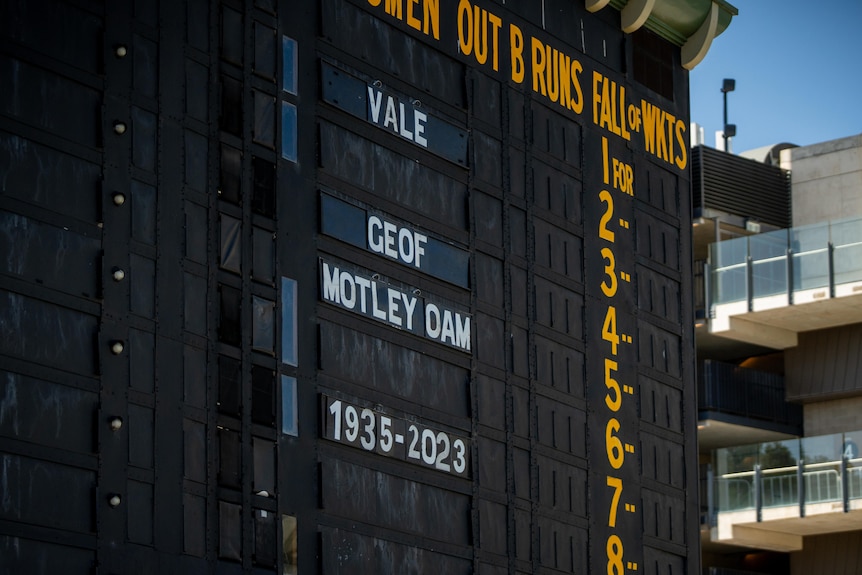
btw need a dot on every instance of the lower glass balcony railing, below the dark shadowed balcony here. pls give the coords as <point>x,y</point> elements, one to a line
<point>798,472</point>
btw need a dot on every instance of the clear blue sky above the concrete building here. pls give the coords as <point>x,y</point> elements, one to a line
<point>798,71</point>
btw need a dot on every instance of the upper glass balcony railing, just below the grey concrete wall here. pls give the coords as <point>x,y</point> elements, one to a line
<point>787,266</point>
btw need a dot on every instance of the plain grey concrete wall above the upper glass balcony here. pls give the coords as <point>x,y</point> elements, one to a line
<point>826,180</point>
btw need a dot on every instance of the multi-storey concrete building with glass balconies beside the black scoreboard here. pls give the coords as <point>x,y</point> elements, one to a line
<point>779,347</point>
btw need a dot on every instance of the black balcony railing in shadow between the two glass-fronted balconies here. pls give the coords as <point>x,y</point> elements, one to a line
<point>747,393</point>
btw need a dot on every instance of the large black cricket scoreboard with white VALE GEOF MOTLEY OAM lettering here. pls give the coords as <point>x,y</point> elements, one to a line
<point>343,286</point>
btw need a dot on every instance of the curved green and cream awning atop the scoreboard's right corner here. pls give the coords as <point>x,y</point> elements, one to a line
<point>691,24</point>
